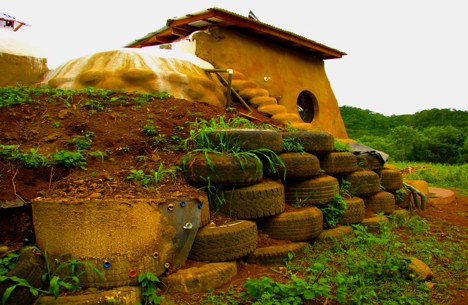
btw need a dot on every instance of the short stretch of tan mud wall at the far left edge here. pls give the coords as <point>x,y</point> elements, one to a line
<point>24,70</point>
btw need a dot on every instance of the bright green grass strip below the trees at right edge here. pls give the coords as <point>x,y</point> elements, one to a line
<point>438,175</point>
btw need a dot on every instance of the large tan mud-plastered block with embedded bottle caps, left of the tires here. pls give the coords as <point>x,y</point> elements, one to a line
<point>136,235</point>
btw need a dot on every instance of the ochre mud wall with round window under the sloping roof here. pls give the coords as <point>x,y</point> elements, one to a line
<point>283,72</point>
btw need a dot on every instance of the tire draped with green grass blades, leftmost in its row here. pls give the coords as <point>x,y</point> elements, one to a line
<point>226,169</point>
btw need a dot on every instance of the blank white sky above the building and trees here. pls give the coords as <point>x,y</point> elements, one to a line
<point>403,56</point>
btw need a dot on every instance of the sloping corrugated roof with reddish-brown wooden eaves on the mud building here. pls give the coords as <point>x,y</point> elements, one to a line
<point>181,27</point>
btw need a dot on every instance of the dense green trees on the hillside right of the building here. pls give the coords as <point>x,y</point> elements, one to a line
<point>435,135</point>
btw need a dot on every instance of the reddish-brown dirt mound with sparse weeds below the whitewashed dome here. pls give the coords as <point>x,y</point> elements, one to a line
<point>124,135</point>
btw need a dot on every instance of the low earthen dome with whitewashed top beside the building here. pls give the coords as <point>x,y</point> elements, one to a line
<point>130,70</point>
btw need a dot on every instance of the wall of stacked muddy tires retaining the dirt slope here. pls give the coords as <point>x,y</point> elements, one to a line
<point>283,200</point>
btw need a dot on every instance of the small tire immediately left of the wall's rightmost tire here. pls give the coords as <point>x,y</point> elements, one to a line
<point>363,183</point>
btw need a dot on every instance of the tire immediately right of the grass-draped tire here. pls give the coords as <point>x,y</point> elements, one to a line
<point>297,166</point>
